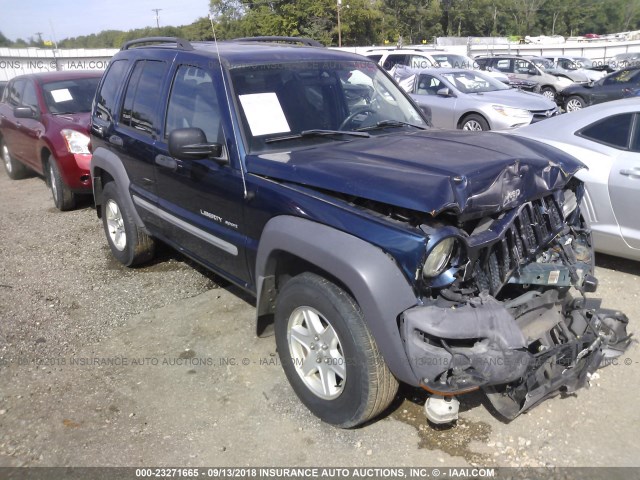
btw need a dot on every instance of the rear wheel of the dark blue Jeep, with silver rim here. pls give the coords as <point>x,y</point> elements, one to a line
<point>128,243</point>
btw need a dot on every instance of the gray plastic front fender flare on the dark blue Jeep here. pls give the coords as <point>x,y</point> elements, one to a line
<point>377,284</point>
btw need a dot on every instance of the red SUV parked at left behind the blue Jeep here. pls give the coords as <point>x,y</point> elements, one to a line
<point>44,124</point>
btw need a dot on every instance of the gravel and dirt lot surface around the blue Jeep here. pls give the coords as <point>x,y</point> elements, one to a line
<point>159,365</point>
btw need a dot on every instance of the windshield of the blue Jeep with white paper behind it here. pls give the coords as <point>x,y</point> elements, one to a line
<point>288,105</point>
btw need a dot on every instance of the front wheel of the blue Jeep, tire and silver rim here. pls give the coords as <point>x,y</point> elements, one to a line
<point>328,354</point>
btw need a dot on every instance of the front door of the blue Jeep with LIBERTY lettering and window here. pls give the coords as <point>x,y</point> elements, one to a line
<point>200,201</point>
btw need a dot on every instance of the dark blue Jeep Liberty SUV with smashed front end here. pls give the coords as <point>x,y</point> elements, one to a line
<point>379,250</point>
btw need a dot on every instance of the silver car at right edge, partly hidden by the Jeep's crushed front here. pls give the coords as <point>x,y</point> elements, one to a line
<point>605,138</point>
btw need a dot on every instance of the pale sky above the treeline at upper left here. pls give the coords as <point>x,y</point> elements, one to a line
<point>71,18</point>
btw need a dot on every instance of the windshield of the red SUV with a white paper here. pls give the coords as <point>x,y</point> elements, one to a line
<point>70,96</point>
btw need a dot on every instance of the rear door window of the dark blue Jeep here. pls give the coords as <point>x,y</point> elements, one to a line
<point>141,98</point>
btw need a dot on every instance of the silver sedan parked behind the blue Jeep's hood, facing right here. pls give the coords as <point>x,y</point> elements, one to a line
<point>471,100</point>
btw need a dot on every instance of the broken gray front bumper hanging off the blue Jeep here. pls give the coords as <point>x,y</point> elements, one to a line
<point>519,352</point>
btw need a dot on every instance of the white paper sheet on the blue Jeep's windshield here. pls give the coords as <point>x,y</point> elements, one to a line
<point>264,113</point>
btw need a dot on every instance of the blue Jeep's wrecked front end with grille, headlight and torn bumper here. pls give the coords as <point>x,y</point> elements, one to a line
<point>505,309</point>
